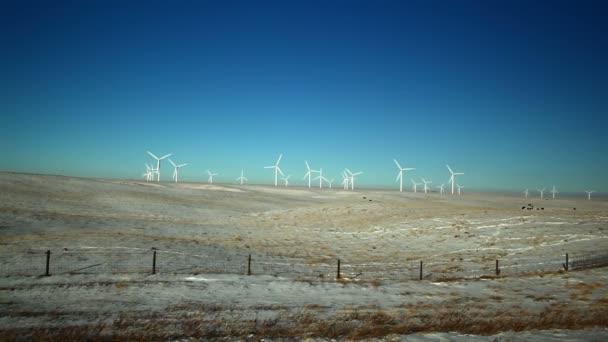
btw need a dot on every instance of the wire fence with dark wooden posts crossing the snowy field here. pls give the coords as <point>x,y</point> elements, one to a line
<point>152,261</point>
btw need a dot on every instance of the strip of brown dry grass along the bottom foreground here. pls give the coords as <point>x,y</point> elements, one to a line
<point>350,324</point>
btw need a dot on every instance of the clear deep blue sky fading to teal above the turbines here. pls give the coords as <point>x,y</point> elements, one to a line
<point>512,93</point>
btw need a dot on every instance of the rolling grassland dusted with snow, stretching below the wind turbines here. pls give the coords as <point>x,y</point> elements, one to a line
<point>102,233</point>
